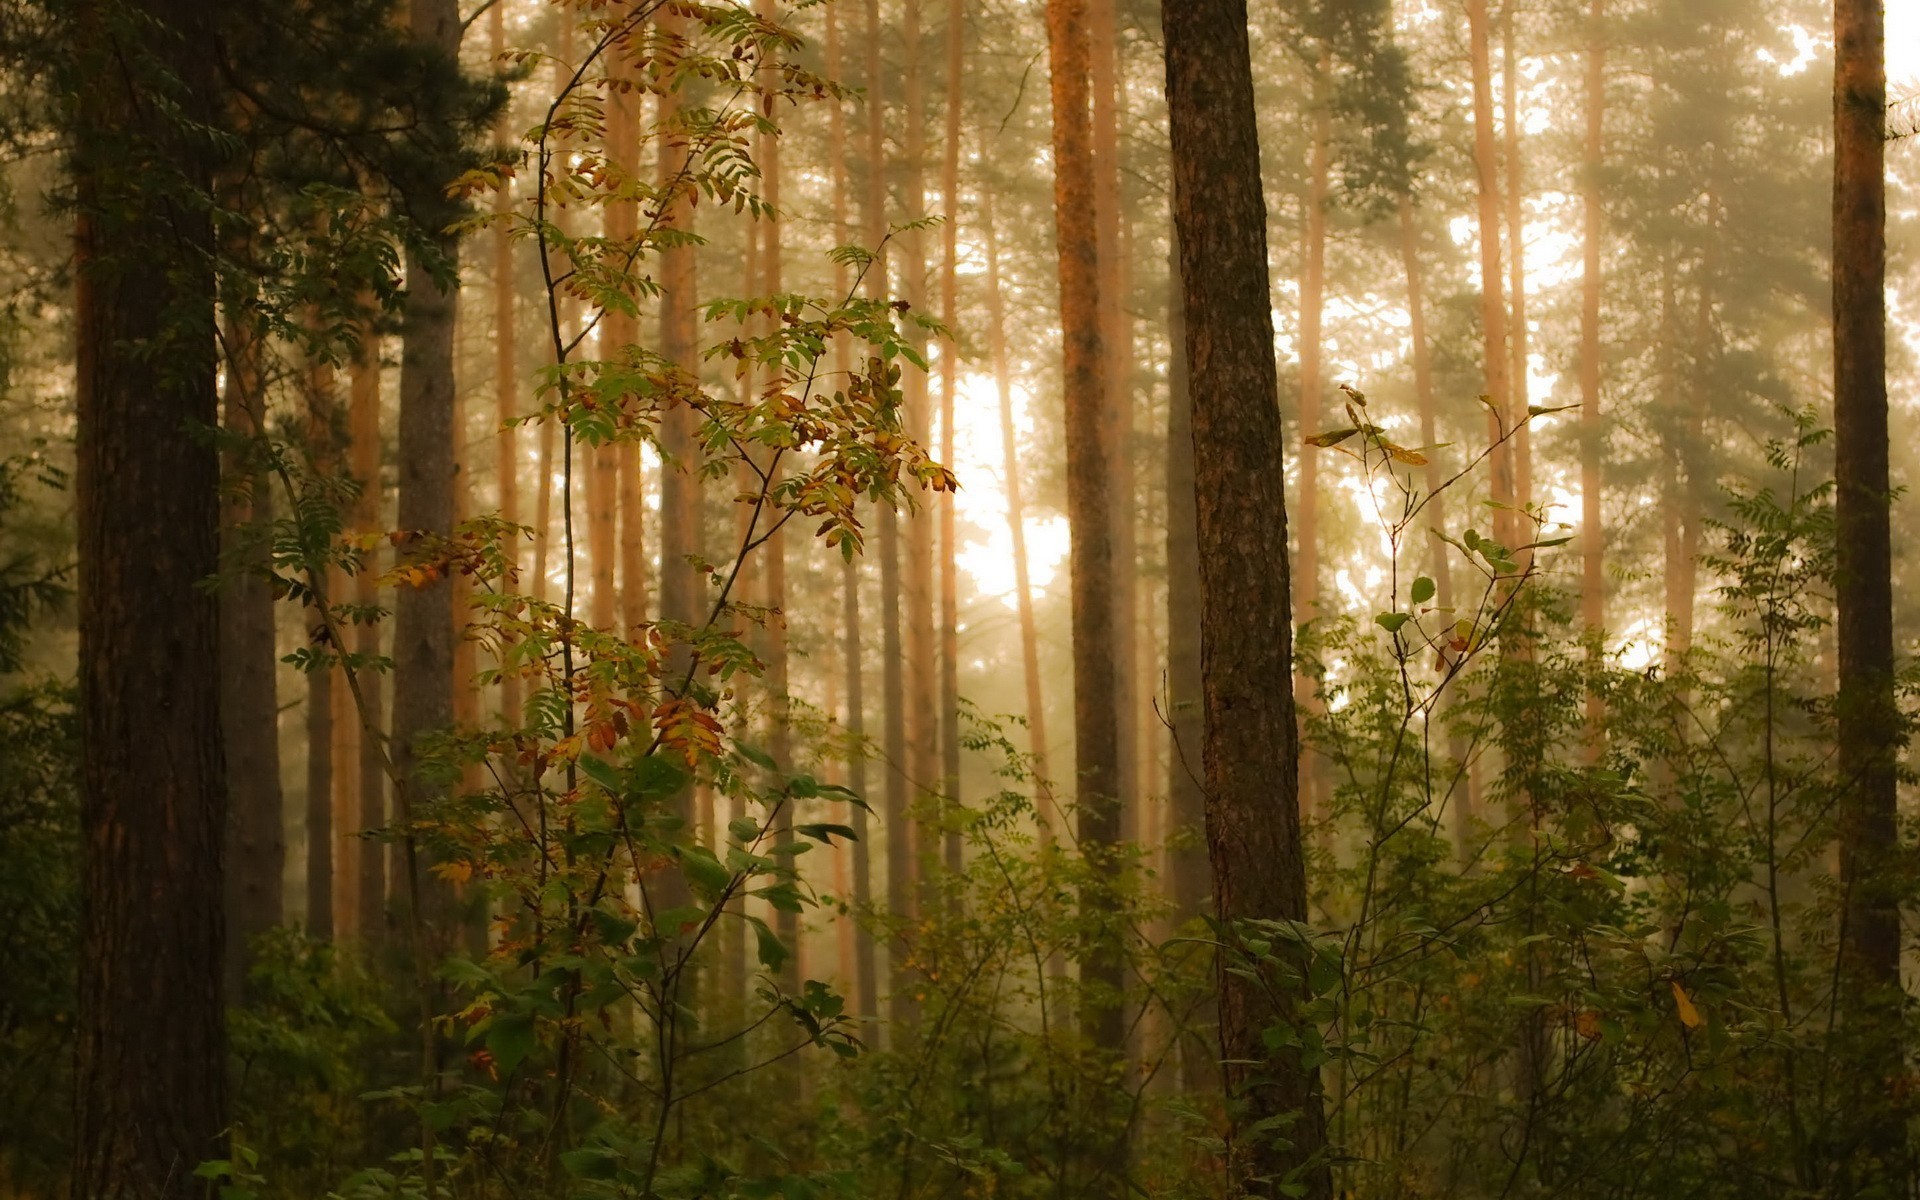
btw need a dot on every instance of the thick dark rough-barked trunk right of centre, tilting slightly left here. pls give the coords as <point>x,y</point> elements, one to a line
<point>1253,752</point>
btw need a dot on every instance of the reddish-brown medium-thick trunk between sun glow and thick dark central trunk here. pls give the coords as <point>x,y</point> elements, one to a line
<point>1090,506</point>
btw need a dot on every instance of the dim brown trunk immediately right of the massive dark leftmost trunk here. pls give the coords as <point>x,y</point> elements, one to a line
<point>251,709</point>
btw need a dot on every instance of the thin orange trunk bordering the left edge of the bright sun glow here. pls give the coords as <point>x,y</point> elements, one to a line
<point>949,402</point>
